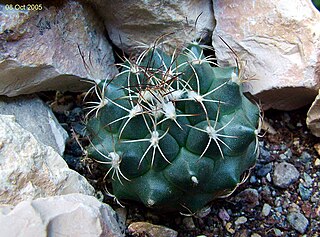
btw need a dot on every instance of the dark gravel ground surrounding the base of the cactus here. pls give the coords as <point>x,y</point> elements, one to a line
<point>280,197</point>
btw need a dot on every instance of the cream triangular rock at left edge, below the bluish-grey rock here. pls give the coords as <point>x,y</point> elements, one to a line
<point>30,170</point>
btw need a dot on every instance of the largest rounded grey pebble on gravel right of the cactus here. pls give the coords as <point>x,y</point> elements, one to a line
<point>285,174</point>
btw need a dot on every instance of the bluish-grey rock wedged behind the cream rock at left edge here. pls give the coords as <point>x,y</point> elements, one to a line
<point>44,126</point>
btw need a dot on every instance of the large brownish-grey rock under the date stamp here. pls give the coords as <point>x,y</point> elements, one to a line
<point>41,50</point>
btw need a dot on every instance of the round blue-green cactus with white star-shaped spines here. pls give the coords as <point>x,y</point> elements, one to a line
<point>173,132</point>
